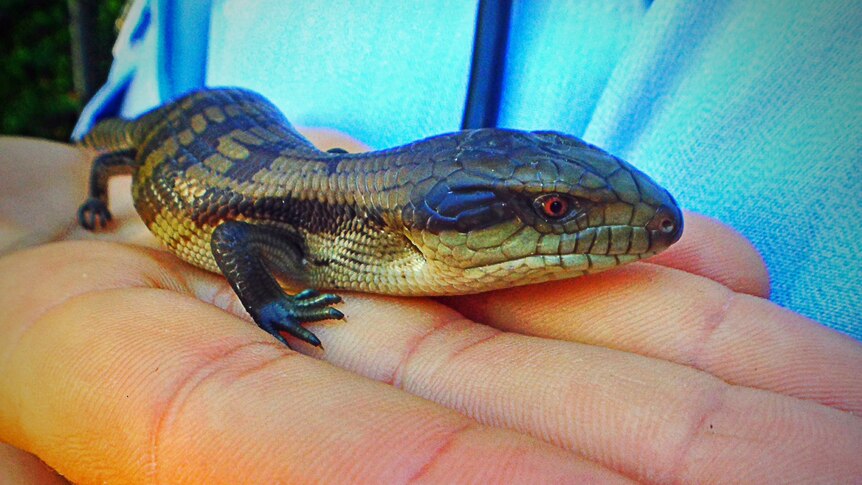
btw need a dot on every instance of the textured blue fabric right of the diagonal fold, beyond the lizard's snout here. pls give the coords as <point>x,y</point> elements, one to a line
<point>751,112</point>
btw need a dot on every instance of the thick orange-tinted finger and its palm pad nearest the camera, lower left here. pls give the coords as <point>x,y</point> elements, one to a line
<point>138,384</point>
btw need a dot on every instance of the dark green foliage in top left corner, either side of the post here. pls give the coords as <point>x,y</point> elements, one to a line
<point>37,96</point>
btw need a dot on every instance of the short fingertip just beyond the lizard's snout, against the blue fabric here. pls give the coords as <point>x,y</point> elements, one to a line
<point>716,251</point>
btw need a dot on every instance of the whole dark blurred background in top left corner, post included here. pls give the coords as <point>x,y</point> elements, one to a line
<point>54,55</point>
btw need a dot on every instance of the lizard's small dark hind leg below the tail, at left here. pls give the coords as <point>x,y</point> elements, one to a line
<point>94,211</point>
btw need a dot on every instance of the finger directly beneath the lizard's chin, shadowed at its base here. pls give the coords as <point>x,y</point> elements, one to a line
<point>676,316</point>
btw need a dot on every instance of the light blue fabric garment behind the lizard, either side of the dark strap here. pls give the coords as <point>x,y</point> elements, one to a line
<point>750,112</point>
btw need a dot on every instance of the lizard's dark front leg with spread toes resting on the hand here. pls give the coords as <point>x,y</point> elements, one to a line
<point>245,254</point>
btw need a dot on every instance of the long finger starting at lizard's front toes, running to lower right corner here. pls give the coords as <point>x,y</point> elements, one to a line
<point>652,420</point>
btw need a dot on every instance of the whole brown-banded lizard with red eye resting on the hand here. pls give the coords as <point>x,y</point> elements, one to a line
<point>222,178</point>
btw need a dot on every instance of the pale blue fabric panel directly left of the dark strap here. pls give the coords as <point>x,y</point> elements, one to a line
<point>385,72</point>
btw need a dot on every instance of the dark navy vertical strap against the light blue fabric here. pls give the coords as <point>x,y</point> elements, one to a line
<point>489,60</point>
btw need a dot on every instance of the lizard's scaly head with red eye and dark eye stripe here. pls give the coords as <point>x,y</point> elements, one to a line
<point>501,208</point>
